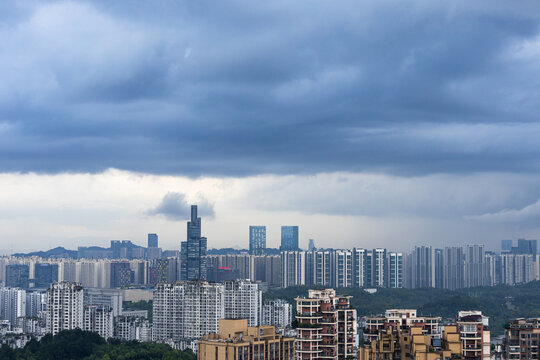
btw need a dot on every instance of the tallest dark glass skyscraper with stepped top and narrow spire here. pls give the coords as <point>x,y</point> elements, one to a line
<point>193,251</point>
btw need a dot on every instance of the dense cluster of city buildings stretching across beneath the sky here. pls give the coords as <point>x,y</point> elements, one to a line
<point>213,304</point>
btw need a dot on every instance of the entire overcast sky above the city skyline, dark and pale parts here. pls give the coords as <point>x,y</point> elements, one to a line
<point>368,124</point>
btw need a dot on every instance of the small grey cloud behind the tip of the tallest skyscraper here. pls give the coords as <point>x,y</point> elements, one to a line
<point>174,207</point>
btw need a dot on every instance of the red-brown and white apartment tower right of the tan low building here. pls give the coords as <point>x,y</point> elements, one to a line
<point>326,326</point>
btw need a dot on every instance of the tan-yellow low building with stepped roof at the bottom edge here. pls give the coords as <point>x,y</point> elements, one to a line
<point>237,341</point>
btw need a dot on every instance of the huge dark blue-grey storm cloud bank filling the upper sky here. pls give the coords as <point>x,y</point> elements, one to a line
<point>240,88</point>
